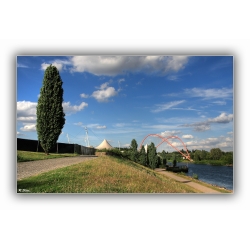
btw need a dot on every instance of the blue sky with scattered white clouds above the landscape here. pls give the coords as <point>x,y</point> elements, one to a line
<point>120,98</point>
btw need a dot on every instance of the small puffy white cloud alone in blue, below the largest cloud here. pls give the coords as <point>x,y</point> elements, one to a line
<point>104,93</point>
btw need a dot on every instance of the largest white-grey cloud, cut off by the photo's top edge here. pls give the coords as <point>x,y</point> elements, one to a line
<point>114,65</point>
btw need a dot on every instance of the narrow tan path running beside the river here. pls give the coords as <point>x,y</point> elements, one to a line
<point>195,185</point>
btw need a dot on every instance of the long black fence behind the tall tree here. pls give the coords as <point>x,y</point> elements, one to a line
<point>34,146</point>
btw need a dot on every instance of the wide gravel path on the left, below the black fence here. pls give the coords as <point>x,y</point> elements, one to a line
<point>27,169</point>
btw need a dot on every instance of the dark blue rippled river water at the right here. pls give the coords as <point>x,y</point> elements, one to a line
<point>217,175</point>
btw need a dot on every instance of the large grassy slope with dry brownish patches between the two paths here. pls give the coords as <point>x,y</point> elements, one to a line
<point>104,174</point>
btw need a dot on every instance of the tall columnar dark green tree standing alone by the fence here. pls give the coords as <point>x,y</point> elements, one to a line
<point>50,115</point>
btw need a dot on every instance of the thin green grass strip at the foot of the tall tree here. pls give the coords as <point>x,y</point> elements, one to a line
<point>34,156</point>
